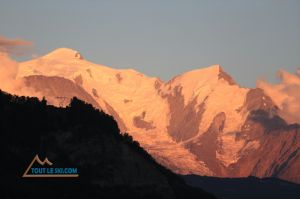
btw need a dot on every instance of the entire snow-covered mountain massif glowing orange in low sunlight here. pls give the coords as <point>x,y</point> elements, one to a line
<point>200,122</point>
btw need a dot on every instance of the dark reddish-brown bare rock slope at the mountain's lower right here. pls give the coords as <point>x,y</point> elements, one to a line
<point>277,154</point>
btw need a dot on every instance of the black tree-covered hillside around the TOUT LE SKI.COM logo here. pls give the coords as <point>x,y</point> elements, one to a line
<point>110,165</point>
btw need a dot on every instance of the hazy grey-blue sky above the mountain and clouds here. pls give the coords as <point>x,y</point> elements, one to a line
<point>250,38</point>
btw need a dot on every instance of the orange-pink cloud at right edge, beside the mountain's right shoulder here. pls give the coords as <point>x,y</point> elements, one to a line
<point>286,94</point>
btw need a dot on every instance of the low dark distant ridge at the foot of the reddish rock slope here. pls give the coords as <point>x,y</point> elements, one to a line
<point>246,188</point>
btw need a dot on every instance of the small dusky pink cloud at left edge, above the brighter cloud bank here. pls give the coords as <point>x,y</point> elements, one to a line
<point>14,46</point>
